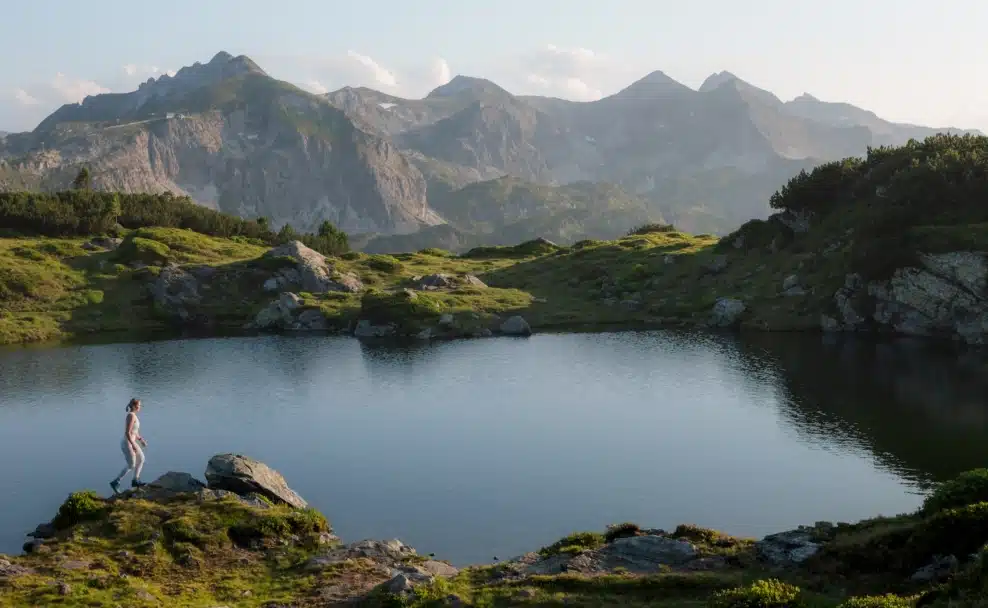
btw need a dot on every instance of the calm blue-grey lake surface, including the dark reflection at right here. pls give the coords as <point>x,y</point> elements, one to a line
<point>473,449</point>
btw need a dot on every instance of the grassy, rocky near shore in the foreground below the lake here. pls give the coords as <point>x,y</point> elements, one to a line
<point>198,548</point>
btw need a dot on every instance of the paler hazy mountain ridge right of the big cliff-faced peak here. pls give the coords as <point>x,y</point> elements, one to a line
<point>708,159</point>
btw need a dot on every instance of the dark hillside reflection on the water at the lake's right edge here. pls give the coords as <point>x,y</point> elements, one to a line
<point>921,410</point>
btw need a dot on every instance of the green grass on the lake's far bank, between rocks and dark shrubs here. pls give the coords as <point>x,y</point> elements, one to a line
<point>656,276</point>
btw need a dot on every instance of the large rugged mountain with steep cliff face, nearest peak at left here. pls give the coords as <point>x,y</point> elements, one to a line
<point>236,140</point>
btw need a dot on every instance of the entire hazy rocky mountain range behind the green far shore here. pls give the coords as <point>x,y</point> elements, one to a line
<point>469,163</point>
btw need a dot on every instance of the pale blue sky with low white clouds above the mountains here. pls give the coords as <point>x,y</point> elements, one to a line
<point>907,60</point>
